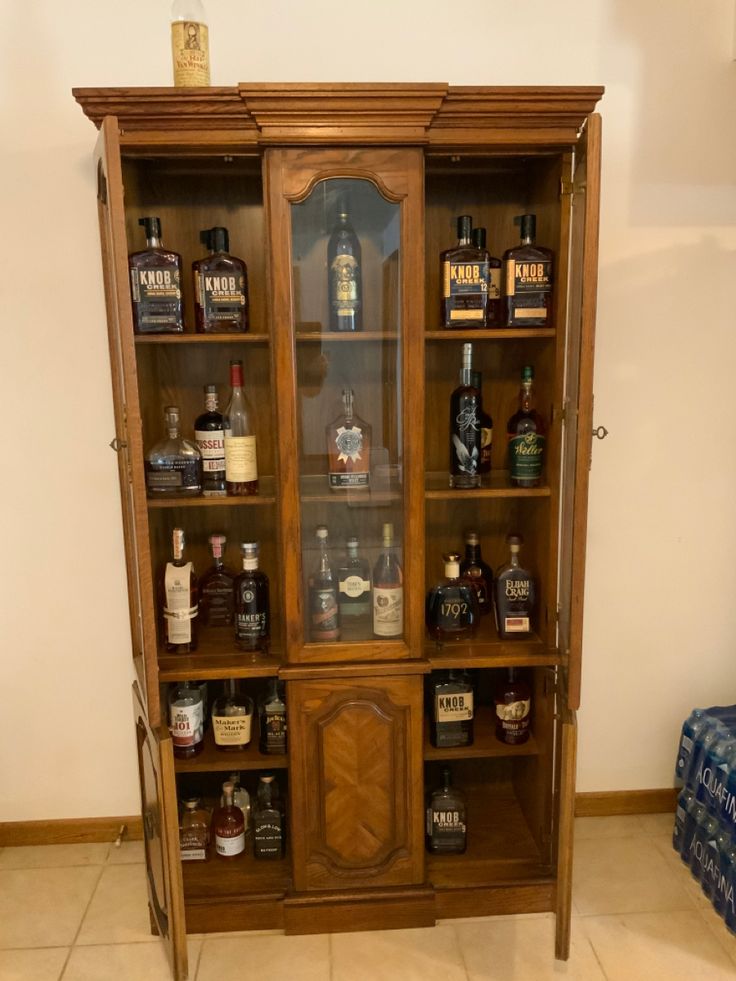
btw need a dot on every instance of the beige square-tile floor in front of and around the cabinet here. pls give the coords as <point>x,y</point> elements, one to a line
<point>78,913</point>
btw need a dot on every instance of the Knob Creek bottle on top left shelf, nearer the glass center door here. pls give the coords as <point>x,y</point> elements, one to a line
<point>220,286</point>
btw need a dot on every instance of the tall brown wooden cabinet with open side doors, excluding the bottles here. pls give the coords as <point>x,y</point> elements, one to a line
<point>275,164</point>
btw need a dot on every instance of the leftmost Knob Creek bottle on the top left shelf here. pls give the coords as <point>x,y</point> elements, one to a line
<point>155,284</point>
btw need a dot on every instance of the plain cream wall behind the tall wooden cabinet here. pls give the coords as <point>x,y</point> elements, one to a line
<point>660,618</point>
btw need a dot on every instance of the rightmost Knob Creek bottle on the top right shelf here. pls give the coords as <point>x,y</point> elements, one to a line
<point>528,279</point>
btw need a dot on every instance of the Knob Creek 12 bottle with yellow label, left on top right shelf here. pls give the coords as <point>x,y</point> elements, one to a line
<point>464,278</point>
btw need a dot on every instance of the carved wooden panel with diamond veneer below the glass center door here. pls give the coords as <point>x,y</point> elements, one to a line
<point>356,805</point>
